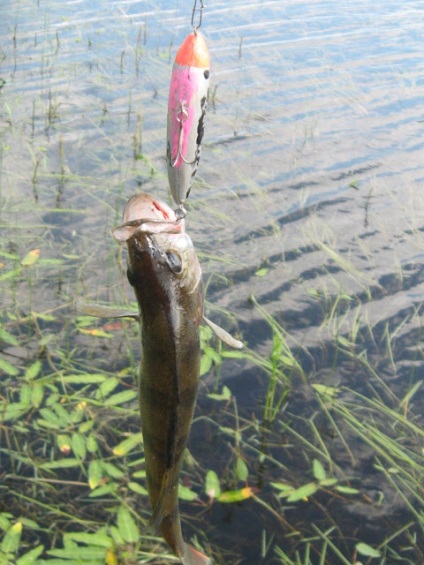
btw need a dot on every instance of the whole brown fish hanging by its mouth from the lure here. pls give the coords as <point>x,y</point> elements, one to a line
<point>165,273</point>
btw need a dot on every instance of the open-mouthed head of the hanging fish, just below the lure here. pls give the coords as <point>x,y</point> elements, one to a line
<point>161,253</point>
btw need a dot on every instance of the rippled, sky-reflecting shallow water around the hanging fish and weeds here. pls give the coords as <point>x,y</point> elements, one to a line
<point>310,176</point>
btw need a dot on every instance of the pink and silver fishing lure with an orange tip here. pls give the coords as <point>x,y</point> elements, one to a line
<point>186,113</point>
